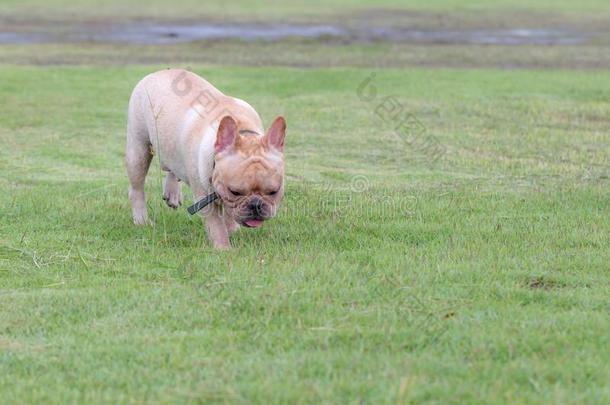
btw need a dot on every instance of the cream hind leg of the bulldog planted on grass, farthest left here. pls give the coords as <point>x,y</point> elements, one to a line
<point>138,156</point>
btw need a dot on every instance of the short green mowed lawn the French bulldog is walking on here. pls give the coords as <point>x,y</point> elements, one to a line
<point>388,276</point>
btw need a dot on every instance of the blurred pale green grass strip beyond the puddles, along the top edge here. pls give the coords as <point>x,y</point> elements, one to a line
<point>275,9</point>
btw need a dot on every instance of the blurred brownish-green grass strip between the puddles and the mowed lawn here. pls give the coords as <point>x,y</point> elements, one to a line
<point>308,54</point>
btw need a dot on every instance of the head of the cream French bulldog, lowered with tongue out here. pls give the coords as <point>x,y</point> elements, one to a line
<point>249,171</point>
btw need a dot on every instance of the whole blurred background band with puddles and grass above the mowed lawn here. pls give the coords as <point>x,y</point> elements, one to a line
<point>387,33</point>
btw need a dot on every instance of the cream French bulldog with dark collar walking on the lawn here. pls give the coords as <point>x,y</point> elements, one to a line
<point>212,142</point>
